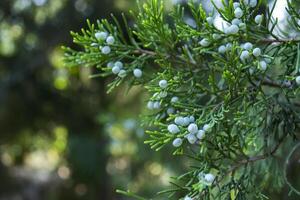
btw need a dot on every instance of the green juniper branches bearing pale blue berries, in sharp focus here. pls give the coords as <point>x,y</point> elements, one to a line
<point>226,97</point>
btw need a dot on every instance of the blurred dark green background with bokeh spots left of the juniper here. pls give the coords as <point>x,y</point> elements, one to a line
<point>62,137</point>
